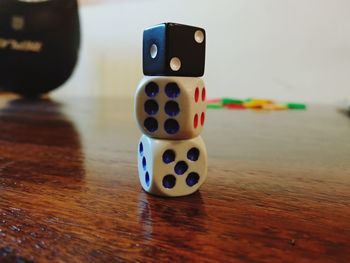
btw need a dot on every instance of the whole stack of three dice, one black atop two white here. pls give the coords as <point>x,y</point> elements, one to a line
<point>170,107</point>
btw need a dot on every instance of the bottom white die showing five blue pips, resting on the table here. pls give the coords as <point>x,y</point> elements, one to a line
<point>172,167</point>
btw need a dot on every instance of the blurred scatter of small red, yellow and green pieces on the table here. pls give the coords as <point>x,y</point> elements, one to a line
<point>252,103</point>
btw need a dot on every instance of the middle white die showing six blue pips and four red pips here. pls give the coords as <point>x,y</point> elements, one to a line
<point>171,107</point>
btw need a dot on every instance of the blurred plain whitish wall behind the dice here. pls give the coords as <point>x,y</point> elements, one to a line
<point>290,50</point>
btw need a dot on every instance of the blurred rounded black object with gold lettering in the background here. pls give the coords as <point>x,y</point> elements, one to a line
<point>39,44</point>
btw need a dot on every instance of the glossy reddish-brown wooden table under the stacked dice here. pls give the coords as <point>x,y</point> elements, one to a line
<point>278,187</point>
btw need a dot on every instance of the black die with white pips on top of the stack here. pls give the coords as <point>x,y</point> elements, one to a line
<point>171,49</point>
